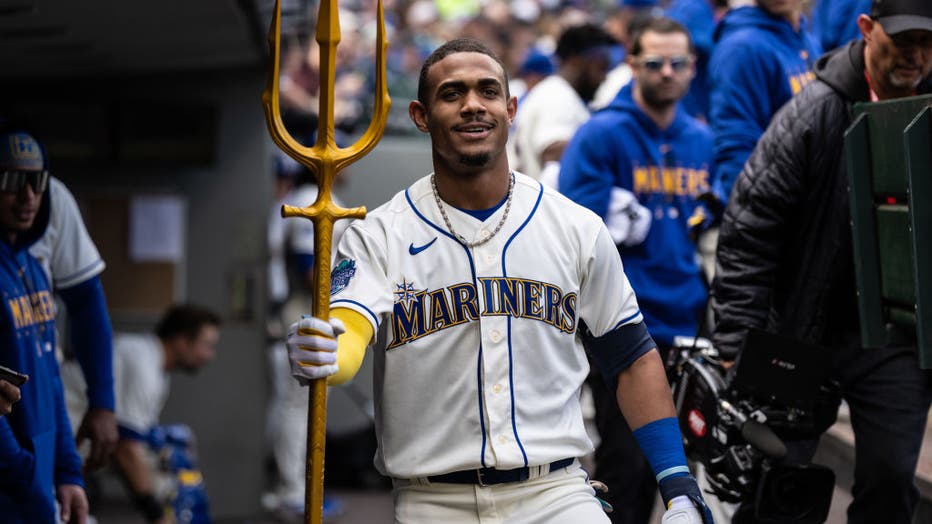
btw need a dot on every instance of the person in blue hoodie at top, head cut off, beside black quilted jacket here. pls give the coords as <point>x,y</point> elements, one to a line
<point>763,55</point>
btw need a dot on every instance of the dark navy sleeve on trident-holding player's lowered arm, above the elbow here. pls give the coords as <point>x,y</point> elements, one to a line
<point>614,351</point>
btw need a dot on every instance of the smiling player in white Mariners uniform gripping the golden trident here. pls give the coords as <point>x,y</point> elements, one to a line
<point>477,286</point>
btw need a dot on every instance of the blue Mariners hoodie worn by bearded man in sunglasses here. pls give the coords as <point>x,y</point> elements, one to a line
<point>667,169</point>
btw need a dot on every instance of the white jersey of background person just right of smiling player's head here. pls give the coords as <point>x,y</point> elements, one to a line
<point>551,112</point>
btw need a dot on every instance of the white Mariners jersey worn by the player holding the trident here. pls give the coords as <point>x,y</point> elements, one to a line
<point>478,363</point>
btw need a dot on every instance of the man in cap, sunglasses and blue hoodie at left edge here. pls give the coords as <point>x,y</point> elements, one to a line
<point>39,464</point>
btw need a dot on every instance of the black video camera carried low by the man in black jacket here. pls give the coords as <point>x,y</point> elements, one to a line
<point>735,423</point>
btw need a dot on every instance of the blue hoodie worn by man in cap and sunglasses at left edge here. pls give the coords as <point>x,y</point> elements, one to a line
<point>37,450</point>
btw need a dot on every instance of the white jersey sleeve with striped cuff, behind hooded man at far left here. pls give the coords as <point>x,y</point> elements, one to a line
<point>65,250</point>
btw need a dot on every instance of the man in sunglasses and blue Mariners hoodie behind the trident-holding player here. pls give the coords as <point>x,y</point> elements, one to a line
<point>640,164</point>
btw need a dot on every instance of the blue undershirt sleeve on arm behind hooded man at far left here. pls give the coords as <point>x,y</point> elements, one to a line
<point>92,339</point>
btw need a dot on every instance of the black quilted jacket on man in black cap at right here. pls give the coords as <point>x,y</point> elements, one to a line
<point>785,261</point>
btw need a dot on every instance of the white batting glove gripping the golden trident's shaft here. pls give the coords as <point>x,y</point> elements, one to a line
<point>312,348</point>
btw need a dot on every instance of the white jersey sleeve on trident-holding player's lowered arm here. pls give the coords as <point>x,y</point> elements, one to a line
<point>606,299</point>
